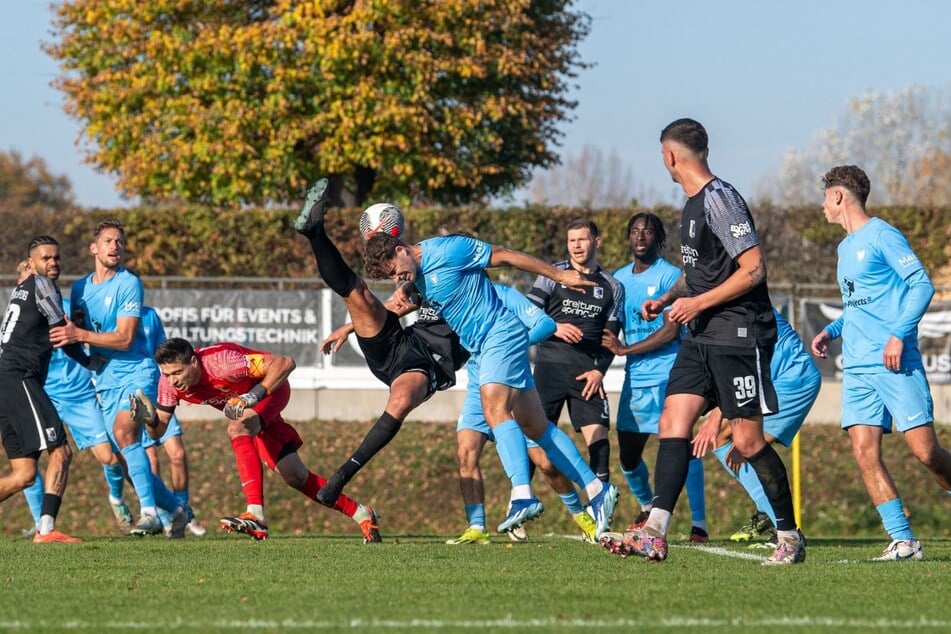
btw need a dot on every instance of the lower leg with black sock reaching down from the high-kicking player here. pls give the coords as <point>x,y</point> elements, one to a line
<point>407,391</point>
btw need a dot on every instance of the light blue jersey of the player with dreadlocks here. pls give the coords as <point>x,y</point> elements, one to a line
<point>651,368</point>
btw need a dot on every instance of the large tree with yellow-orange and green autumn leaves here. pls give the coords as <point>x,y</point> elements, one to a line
<point>245,102</point>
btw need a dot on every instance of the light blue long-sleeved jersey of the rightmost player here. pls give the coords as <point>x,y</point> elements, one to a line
<point>875,266</point>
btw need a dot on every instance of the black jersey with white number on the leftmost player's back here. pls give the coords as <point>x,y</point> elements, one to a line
<point>36,305</point>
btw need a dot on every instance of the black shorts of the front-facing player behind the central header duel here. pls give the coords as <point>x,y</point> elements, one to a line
<point>557,385</point>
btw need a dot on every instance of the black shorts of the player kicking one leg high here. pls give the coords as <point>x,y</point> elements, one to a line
<point>393,352</point>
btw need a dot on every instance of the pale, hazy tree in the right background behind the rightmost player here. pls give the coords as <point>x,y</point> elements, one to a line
<point>901,139</point>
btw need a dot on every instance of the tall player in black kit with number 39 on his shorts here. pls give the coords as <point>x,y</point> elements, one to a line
<point>723,361</point>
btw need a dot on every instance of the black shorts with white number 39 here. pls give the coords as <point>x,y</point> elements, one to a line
<point>736,380</point>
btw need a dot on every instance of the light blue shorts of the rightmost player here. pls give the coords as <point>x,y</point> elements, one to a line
<point>880,398</point>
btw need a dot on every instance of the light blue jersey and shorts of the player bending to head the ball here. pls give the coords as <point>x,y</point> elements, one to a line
<point>452,278</point>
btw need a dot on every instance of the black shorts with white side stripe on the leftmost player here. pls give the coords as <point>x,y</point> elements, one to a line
<point>28,420</point>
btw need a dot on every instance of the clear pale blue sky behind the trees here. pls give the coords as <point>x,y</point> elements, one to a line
<point>762,76</point>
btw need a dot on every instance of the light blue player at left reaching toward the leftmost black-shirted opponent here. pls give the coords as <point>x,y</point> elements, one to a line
<point>106,309</point>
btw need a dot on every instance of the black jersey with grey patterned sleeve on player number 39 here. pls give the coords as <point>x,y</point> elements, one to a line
<point>715,228</point>
